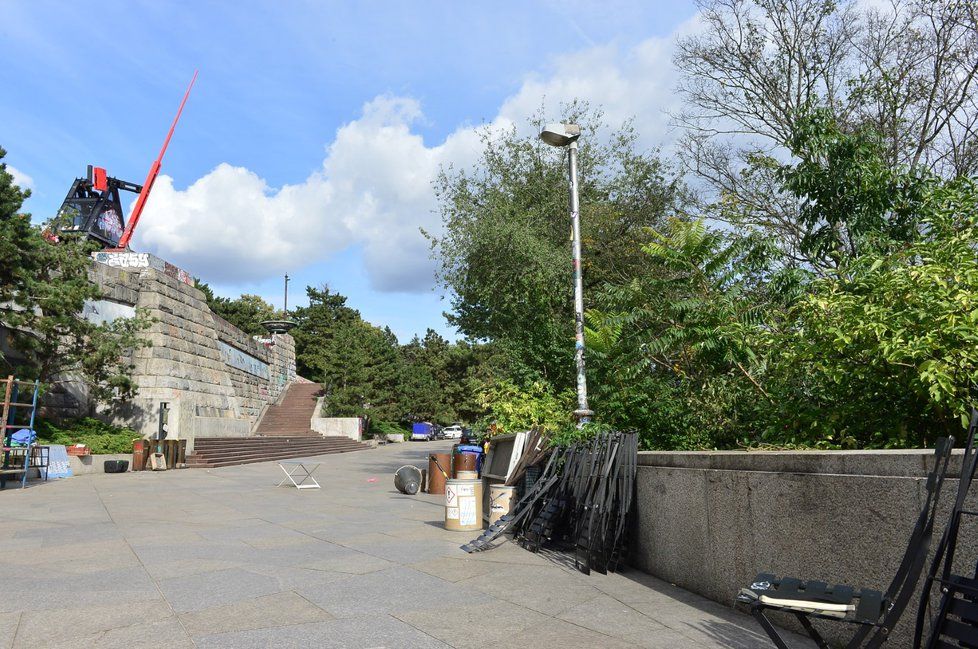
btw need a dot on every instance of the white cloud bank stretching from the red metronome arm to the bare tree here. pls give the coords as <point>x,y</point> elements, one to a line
<point>374,186</point>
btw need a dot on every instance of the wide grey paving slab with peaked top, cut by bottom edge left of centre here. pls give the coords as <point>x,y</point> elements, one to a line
<point>362,632</point>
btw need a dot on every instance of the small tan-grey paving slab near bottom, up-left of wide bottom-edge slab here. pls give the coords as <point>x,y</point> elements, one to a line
<point>280,609</point>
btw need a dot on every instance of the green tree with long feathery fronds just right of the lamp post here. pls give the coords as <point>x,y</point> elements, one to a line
<point>671,353</point>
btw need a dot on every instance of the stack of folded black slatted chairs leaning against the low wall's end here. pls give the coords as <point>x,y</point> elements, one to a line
<point>580,503</point>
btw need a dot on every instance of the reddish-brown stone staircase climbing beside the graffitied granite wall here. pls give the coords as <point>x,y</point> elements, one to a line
<point>283,433</point>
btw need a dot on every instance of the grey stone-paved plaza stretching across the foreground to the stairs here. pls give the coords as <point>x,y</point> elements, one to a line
<point>224,558</point>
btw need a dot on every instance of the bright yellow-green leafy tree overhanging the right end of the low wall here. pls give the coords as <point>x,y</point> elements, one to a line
<point>885,352</point>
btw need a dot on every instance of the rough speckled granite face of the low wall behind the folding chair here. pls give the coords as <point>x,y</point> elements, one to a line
<point>709,522</point>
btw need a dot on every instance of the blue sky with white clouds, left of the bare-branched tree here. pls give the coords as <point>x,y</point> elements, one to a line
<point>314,131</point>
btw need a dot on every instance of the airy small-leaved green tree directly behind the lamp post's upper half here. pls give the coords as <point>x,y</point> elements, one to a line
<point>505,255</point>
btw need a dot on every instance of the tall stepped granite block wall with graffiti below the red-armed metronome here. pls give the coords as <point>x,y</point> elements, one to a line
<point>216,379</point>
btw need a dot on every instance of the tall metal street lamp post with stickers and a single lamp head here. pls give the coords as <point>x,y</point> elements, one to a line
<point>566,135</point>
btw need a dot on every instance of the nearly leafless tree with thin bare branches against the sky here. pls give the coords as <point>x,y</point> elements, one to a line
<point>905,71</point>
